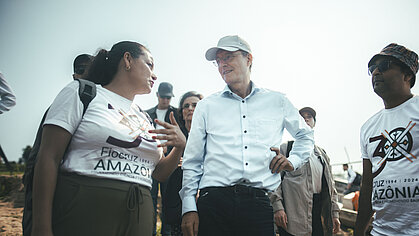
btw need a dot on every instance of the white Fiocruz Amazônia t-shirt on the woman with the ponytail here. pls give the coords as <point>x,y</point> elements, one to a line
<point>112,139</point>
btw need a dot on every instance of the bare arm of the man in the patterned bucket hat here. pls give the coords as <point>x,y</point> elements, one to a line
<point>365,207</point>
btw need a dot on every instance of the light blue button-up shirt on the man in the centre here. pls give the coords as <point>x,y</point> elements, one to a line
<point>230,140</point>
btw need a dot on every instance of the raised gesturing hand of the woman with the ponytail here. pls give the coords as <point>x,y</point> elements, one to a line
<point>171,133</point>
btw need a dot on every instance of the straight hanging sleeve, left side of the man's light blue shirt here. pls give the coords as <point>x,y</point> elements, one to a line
<point>193,160</point>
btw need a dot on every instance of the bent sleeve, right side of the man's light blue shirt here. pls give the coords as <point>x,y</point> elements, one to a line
<point>301,132</point>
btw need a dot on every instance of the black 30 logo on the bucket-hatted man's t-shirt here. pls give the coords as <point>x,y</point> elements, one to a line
<point>394,145</point>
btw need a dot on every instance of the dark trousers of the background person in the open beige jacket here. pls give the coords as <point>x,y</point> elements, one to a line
<point>316,214</point>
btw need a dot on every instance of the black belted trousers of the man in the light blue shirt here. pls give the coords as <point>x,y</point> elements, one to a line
<point>236,210</point>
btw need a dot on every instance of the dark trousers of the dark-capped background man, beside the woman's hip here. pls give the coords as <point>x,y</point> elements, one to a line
<point>165,228</point>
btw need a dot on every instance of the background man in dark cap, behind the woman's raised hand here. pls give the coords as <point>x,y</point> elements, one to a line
<point>162,111</point>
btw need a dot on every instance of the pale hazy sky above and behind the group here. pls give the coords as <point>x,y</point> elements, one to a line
<point>316,52</point>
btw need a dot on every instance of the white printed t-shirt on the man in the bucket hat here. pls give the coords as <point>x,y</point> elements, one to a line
<point>390,140</point>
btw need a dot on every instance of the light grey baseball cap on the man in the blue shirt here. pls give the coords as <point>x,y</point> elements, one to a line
<point>229,43</point>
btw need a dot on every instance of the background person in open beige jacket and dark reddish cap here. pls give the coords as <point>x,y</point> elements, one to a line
<point>311,187</point>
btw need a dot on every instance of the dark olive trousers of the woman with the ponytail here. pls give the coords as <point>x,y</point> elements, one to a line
<point>86,206</point>
